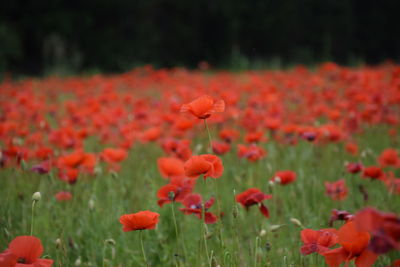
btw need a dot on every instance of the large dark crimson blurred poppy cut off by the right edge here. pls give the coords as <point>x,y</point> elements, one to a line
<point>384,228</point>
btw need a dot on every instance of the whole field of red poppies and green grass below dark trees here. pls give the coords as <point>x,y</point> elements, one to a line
<point>174,167</point>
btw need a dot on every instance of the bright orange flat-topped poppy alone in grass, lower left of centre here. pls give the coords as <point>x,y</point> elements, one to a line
<point>141,220</point>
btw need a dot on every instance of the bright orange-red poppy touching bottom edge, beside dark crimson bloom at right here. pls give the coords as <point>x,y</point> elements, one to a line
<point>354,246</point>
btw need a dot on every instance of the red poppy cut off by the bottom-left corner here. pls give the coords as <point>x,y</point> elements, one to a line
<point>24,251</point>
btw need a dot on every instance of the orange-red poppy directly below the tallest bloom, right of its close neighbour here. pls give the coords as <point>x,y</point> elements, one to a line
<point>209,165</point>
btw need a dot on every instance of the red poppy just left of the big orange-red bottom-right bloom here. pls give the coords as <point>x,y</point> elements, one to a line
<point>318,241</point>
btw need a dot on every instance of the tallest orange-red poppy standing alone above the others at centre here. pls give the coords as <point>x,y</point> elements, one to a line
<point>203,107</point>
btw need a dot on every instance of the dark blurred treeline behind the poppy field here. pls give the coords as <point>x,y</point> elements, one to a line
<point>112,36</point>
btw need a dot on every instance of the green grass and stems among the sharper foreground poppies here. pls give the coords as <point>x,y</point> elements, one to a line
<point>85,223</point>
